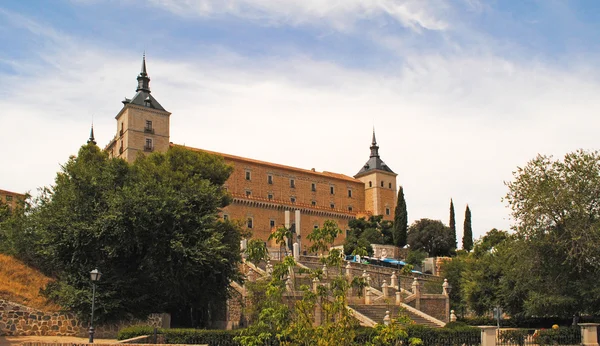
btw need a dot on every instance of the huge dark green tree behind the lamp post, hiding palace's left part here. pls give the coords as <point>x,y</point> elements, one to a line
<point>152,229</point>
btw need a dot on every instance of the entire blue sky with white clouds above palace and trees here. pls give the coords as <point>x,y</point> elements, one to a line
<point>460,92</point>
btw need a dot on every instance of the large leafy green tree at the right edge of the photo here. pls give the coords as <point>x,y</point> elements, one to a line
<point>555,205</point>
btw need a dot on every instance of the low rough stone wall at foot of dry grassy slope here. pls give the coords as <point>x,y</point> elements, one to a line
<point>19,320</point>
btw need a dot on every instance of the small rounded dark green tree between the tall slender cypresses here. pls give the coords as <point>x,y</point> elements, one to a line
<point>431,236</point>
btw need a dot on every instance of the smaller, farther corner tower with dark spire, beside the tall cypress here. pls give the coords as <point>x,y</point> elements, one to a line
<point>380,184</point>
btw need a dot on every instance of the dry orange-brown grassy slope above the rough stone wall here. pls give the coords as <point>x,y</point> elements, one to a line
<point>22,284</point>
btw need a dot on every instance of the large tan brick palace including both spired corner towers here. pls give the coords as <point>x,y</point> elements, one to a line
<point>263,191</point>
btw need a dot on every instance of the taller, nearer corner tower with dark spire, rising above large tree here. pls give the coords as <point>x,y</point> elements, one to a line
<point>142,123</point>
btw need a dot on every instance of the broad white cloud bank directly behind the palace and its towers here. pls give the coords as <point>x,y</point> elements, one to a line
<point>450,126</point>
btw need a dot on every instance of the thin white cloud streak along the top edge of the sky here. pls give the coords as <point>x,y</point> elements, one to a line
<point>340,14</point>
